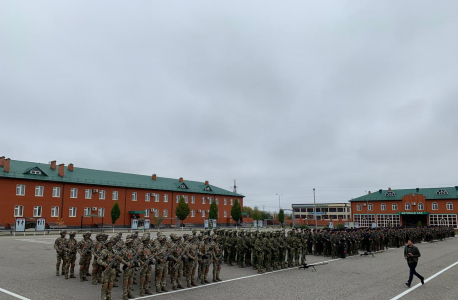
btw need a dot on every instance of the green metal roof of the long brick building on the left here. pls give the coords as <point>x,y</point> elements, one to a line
<point>108,178</point>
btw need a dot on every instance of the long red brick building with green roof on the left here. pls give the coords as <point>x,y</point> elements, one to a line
<point>52,191</point>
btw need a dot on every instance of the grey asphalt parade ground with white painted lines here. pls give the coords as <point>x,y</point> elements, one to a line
<point>27,267</point>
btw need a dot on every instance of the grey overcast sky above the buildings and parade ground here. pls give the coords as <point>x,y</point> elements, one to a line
<point>283,96</point>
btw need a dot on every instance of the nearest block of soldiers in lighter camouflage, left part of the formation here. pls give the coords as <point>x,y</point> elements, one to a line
<point>175,256</point>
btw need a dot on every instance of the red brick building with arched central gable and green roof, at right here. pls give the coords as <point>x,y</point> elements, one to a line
<point>407,207</point>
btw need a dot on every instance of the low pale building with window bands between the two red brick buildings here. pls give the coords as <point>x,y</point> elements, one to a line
<point>303,214</point>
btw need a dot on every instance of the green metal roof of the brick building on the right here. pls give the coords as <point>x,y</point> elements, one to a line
<point>429,193</point>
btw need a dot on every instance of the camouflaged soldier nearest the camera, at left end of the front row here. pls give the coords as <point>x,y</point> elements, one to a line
<point>109,258</point>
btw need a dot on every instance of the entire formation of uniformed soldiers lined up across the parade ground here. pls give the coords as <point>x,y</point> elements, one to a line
<point>187,259</point>
